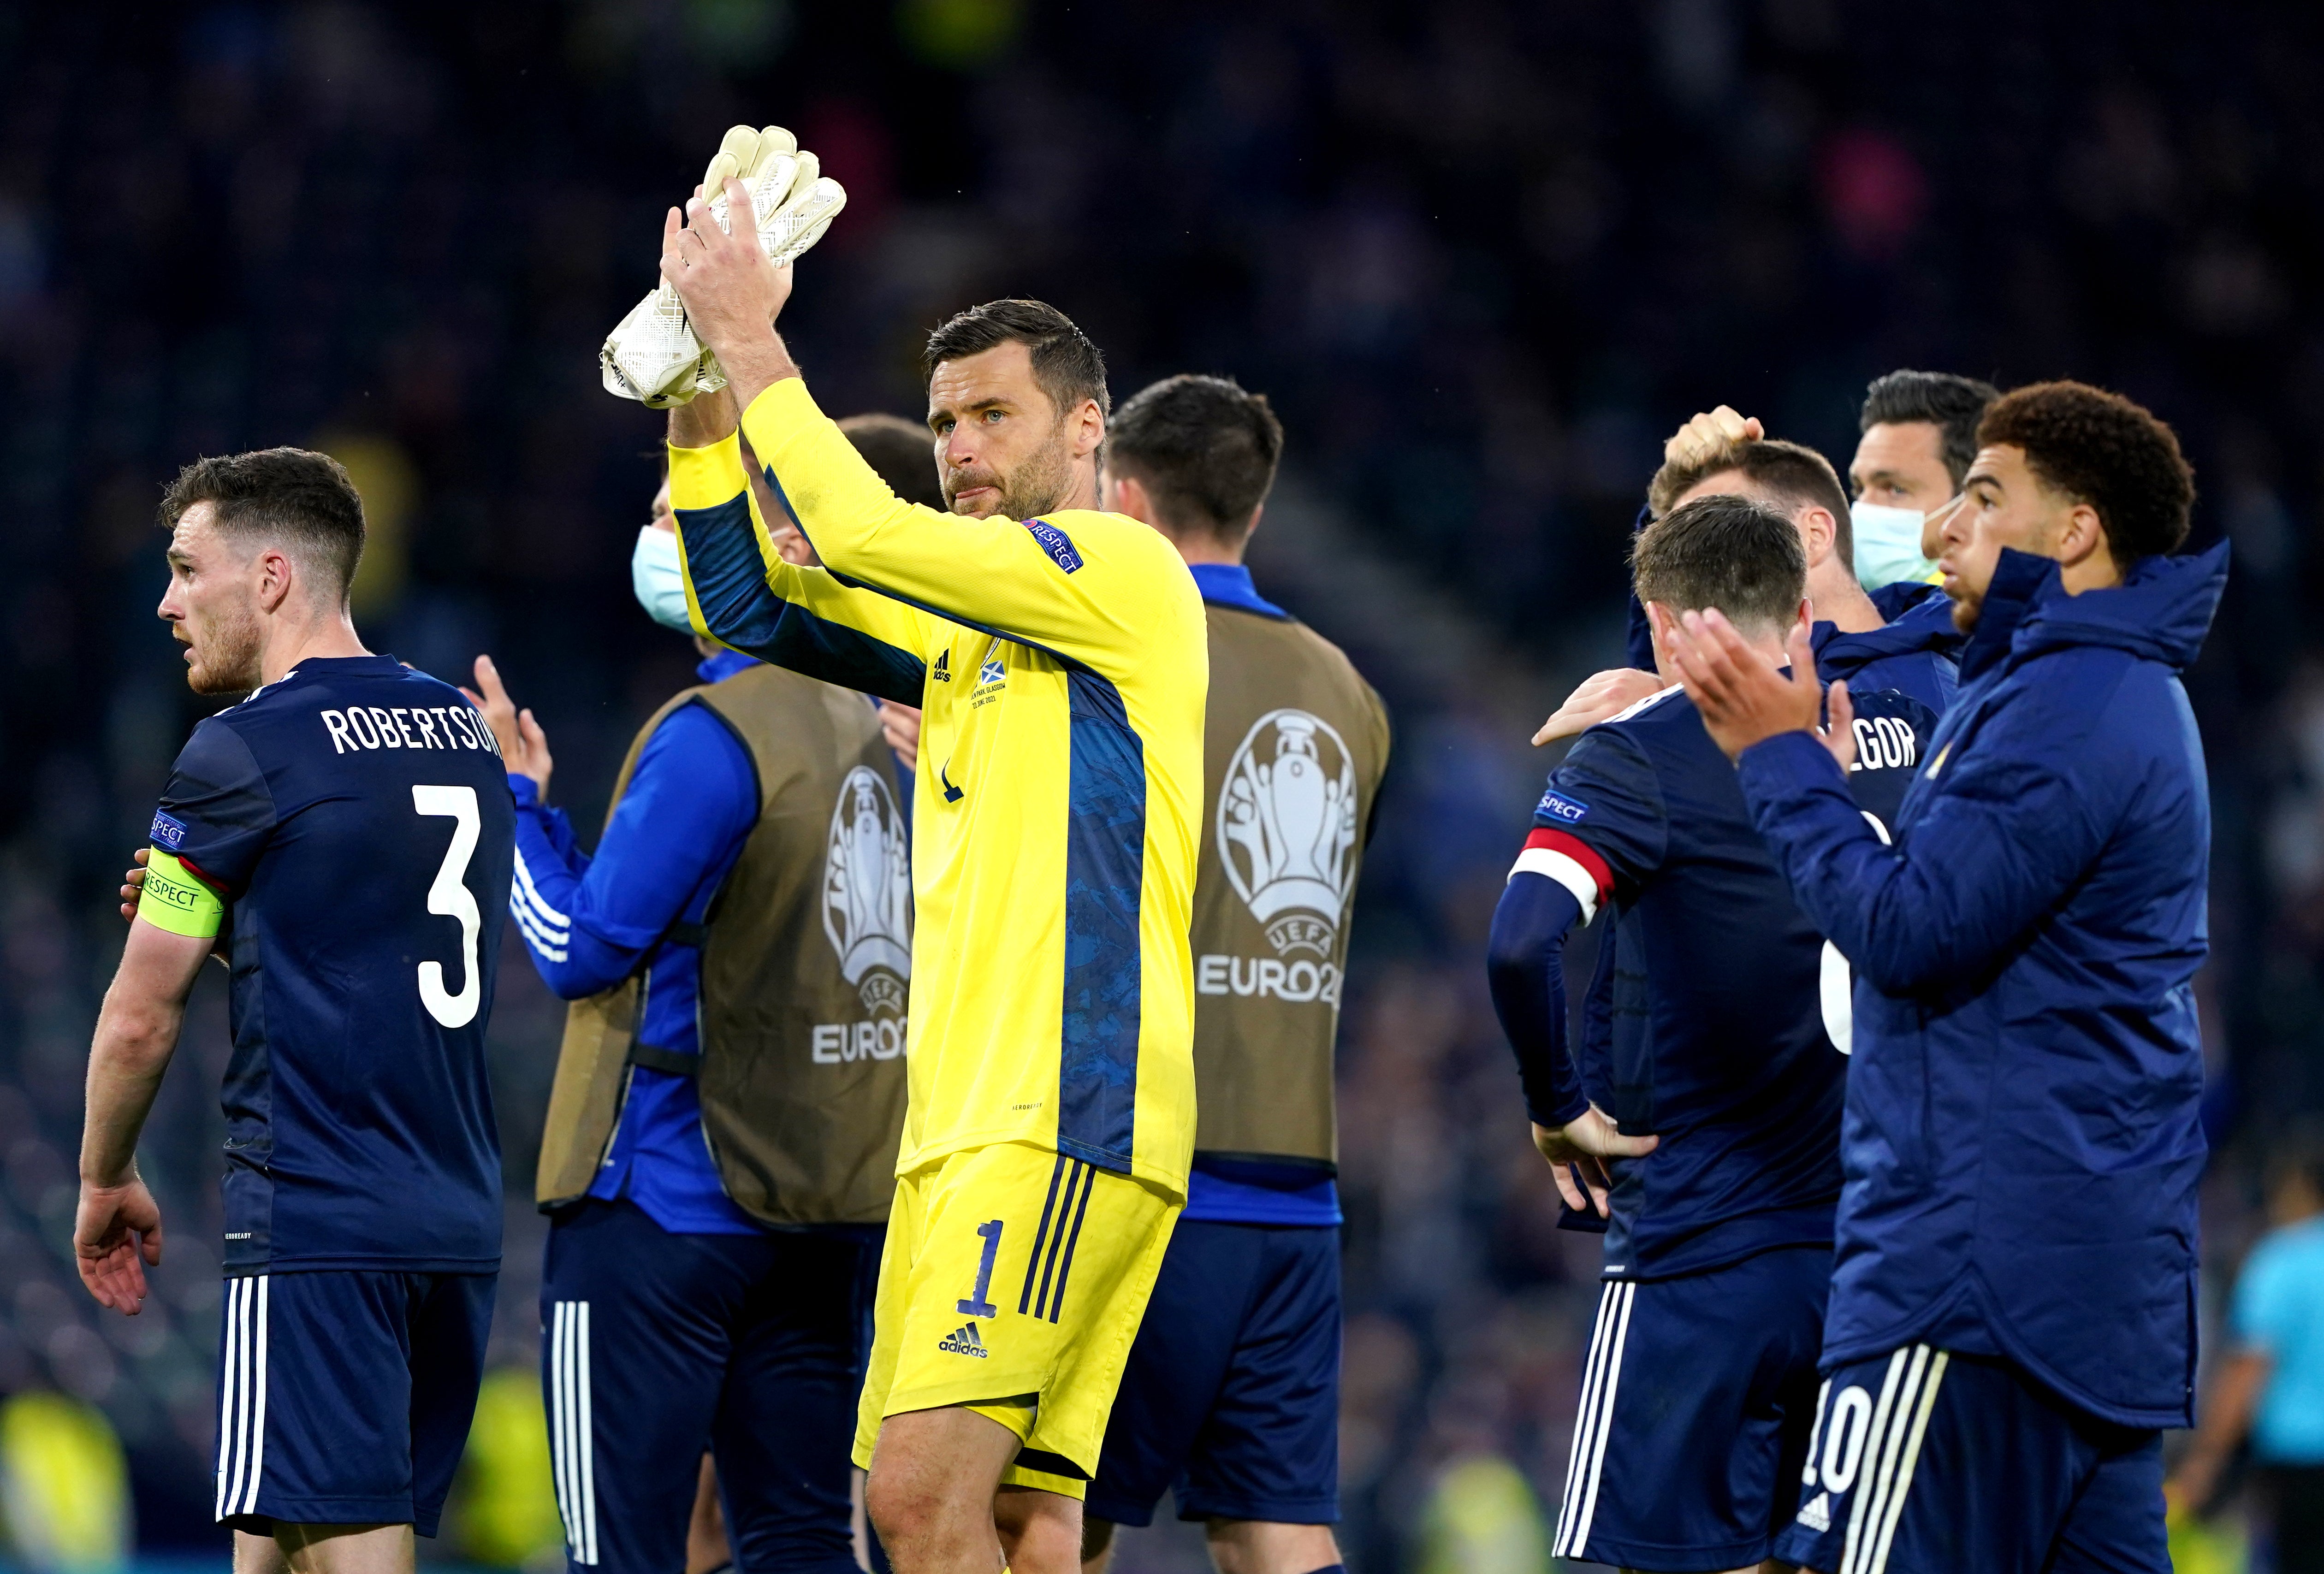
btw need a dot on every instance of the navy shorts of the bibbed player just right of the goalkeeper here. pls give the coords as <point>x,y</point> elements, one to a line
<point>1233,1387</point>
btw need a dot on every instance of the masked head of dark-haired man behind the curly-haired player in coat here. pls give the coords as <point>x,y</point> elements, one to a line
<point>1918,438</point>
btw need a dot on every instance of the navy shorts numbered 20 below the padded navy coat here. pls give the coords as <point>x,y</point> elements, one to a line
<point>1928,1464</point>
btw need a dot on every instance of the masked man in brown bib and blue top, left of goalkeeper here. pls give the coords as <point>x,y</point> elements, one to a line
<point>731,1089</point>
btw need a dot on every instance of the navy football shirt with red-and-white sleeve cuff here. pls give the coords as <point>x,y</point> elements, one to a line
<point>1714,1029</point>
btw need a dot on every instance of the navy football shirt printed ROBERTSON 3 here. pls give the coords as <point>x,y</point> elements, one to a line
<point>359,820</point>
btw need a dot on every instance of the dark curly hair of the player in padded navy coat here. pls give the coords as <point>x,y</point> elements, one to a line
<point>2102,450</point>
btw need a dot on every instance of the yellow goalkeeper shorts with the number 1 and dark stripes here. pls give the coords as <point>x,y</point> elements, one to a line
<point>1012,1285</point>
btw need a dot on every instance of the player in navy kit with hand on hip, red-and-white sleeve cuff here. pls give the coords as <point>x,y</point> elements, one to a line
<point>1719,1038</point>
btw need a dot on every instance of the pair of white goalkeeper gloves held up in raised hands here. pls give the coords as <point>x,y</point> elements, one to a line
<point>654,355</point>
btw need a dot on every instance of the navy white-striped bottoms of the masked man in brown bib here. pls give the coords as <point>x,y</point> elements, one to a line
<point>659,1347</point>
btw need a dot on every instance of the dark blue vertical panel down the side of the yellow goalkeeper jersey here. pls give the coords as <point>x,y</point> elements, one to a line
<point>1105,864</point>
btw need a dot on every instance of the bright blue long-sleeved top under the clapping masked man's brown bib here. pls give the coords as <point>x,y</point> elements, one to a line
<point>591,922</point>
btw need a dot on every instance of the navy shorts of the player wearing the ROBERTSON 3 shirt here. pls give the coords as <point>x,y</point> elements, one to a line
<point>345,1396</point>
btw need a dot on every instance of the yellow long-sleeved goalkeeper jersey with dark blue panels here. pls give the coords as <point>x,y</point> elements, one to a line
<point>1061,666</point>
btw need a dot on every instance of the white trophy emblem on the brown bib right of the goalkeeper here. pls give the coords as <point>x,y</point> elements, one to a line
<point>1286,829</point>
